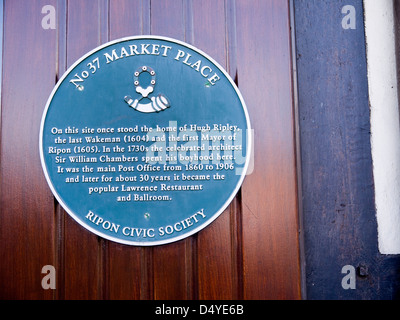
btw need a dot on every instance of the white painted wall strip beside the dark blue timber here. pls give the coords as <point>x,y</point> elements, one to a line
<point>385,121</point>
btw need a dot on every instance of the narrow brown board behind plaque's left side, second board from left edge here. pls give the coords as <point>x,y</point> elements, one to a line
<point>83,261</point>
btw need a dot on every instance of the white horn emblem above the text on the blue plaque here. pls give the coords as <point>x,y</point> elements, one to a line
<point>157,104</point>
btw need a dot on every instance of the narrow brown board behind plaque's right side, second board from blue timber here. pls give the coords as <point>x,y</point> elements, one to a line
<point>215,259</point>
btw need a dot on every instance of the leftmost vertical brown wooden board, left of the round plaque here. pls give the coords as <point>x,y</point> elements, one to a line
<point>27,208</point>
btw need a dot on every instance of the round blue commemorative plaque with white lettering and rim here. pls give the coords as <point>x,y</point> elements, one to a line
<point>145,140</point>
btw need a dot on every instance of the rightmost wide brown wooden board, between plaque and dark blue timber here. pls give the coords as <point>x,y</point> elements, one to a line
<point>270,240</point>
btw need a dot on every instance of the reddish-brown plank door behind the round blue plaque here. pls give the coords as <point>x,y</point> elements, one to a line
<point>250,252</point>
